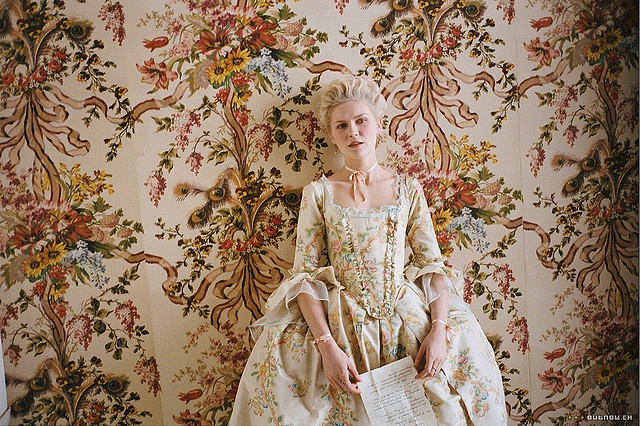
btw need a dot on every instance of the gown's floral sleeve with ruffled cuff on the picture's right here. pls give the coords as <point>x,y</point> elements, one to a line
<point>426,258</point>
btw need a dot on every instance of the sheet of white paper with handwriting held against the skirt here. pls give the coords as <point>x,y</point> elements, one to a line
<point>392,396</point>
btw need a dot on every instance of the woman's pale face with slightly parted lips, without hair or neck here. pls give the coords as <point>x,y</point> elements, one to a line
<point>354,129</point>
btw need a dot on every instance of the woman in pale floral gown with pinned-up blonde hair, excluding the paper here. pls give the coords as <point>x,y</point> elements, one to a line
<point>369,286</point>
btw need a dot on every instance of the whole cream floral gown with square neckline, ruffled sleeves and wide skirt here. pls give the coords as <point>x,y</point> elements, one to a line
<point>372,268</point>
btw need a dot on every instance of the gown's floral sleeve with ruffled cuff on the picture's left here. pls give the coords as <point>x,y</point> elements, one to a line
<point>310,273</point>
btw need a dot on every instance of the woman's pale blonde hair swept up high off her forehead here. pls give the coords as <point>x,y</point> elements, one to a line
<point>347,89</point>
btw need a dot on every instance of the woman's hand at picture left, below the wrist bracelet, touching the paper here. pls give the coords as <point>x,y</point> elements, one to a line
<point>339,369</point>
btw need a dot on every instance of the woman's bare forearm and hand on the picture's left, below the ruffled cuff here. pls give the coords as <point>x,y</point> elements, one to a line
<point>339,369</point>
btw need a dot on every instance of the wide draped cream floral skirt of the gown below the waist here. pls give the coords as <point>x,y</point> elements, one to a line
<point>284,383</point>
